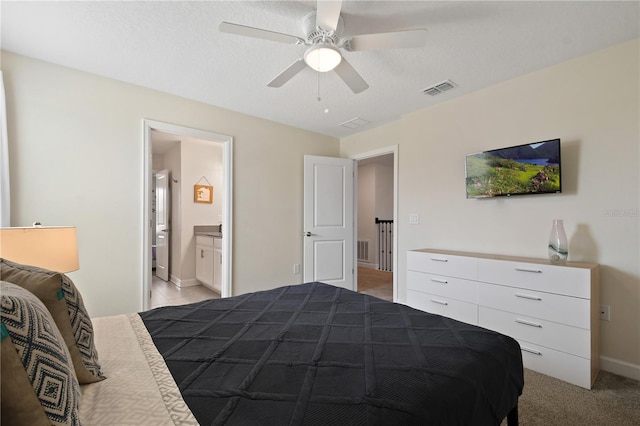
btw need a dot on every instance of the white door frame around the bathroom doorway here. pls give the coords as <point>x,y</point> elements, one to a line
<point>147,183</point>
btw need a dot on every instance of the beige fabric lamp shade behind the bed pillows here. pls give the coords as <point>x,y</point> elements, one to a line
<point>49,247</point>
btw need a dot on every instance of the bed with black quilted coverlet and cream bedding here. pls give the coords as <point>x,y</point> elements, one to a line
<point>303,354</point>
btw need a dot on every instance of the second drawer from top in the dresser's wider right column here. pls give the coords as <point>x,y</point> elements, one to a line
<point>568,310</point>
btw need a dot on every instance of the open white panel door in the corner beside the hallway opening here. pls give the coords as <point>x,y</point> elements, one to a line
<point>329,220</point>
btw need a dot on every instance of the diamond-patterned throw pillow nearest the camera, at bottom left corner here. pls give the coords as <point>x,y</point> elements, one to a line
<point>41,386</point>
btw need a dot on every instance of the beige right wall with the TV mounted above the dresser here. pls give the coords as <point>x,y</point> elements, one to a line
<point>592,104</point>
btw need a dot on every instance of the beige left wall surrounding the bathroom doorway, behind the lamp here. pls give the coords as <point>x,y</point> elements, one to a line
<point>76,156</point>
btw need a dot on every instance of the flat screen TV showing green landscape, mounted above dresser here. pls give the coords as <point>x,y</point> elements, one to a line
<point>517,170</point>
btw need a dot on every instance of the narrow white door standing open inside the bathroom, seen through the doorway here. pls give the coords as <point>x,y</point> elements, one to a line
<point>163,204</point>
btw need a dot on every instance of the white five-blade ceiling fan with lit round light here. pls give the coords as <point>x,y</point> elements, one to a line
<point>323,29</point>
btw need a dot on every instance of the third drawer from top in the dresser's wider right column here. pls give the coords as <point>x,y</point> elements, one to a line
<point>564,338</point>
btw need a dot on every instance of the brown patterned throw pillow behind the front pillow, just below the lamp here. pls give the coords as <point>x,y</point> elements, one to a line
<point>62,298</point>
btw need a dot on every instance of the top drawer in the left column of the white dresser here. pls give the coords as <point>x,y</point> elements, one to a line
<point>443,264</point>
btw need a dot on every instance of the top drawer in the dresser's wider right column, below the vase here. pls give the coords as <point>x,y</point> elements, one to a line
<point>570,281</point>
